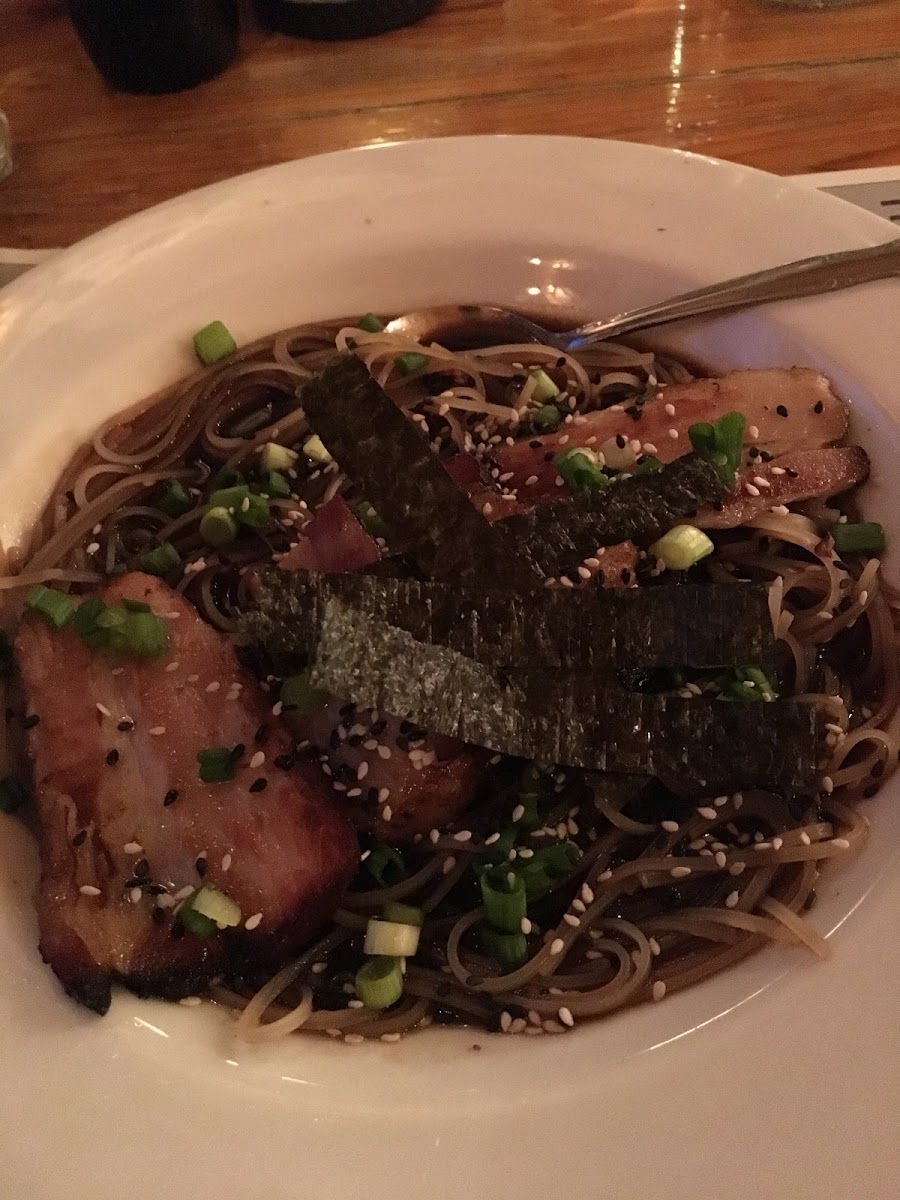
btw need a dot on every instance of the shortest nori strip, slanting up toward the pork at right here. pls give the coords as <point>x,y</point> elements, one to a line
<point>557,537</point>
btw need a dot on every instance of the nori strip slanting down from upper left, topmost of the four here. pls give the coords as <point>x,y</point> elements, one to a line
<point>401,477</point>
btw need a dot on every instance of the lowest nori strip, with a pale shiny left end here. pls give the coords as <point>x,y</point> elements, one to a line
<point>575,721</point>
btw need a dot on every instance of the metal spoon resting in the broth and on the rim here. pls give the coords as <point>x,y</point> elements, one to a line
<point>483,325</point>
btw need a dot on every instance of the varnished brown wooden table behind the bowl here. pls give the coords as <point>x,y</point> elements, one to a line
<point>783,89</point>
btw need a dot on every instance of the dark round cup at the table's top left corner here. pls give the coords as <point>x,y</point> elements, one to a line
<point>158,46</point>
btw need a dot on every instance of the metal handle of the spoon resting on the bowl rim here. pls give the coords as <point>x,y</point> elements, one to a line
<point>806,278</point>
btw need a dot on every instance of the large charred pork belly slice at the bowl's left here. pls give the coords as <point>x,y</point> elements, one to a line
<point>128,826</point>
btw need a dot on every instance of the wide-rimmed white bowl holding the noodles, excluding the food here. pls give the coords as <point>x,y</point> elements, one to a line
<point>759,1082</point>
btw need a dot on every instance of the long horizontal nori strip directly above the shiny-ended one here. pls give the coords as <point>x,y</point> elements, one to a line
<point>689,626</point>
